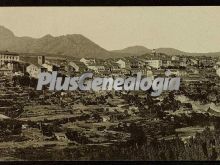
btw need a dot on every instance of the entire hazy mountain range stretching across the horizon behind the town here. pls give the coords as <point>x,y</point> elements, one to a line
<point>75,45</point>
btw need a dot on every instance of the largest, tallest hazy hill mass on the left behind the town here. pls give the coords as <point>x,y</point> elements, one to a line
<point>75,45</point>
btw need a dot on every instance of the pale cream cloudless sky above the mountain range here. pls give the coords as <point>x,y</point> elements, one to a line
<point>191,29</point>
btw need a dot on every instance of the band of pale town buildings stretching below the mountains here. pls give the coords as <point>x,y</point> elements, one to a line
<point>150,65</point>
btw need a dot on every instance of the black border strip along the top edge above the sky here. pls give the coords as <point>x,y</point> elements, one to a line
<point>109,2</point>
